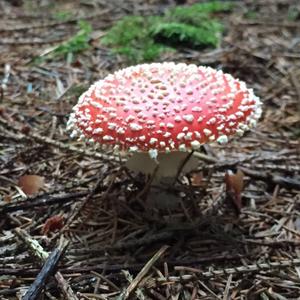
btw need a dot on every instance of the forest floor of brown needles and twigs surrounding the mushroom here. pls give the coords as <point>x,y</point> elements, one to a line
<point>104,241</point>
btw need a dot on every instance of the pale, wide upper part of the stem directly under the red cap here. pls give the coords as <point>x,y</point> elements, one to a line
<point>170,164</point>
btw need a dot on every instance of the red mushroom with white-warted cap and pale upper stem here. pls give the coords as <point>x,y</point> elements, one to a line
<point>161,111</point>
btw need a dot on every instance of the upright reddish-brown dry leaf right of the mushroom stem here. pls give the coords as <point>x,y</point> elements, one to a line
<point>234,187</point>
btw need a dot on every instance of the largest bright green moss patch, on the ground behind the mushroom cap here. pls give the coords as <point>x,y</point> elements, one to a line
<point>145,38</point>
